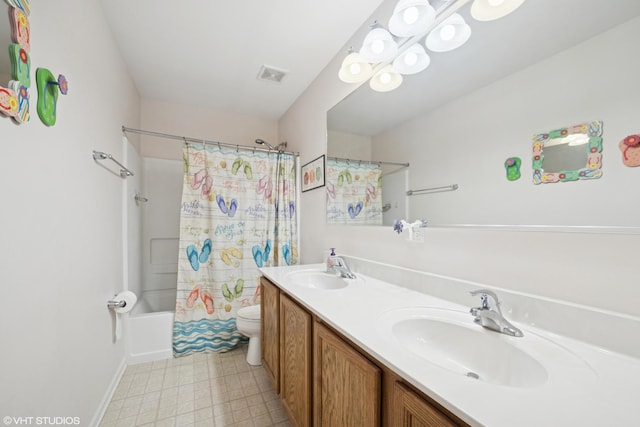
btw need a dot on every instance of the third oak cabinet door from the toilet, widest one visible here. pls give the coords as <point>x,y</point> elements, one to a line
<point>347,389</point>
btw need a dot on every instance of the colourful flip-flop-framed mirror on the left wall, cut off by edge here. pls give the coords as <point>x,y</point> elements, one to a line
<point>15,67</point>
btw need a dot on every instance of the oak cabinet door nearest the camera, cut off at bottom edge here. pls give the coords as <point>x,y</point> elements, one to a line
<point>410,410</point>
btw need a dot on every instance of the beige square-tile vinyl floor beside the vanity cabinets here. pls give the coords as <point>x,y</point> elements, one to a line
<point>217,389</point>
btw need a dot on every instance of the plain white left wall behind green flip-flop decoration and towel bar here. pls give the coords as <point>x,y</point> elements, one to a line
<point>61,223</point>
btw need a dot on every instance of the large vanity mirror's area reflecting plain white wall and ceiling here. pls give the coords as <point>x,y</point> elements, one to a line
<point>457,121</point>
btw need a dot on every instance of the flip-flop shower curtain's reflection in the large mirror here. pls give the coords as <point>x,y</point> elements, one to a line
<point>354,192</point>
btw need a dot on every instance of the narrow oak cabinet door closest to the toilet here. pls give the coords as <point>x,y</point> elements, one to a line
<point>270,331</point>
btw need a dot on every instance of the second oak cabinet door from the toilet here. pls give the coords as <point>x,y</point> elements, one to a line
<point>295,361</point>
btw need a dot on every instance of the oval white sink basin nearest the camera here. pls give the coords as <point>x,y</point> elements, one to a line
<point>450,340</point>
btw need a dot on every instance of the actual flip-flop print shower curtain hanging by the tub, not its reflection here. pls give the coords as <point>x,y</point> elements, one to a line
<point>238,214</point>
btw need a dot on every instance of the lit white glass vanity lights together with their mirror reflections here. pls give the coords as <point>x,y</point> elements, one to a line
<point>386,55</point>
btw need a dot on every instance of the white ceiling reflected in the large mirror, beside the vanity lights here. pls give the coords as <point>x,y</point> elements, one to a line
<point>496,49</point>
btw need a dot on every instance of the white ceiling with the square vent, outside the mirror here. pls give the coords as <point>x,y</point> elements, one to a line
<point>208,53</point>
